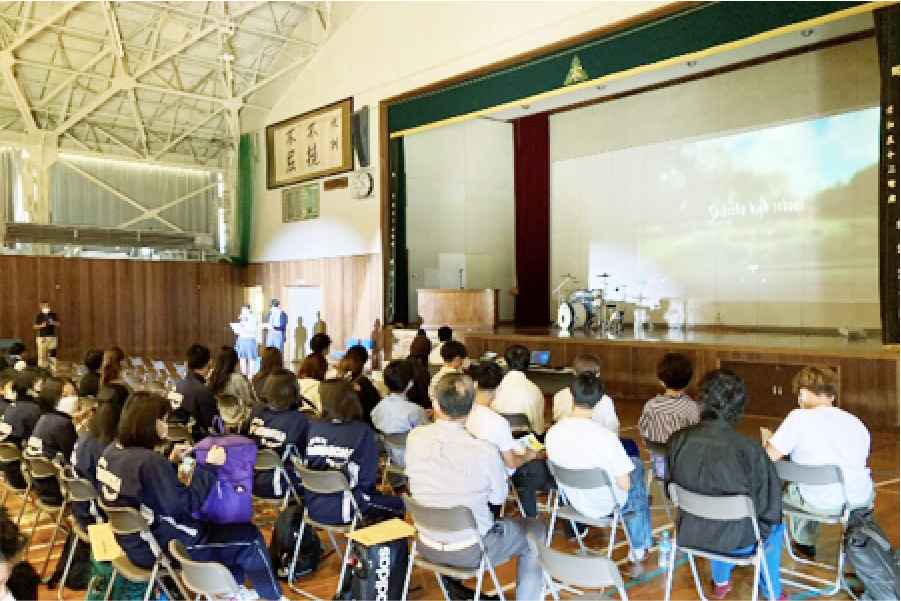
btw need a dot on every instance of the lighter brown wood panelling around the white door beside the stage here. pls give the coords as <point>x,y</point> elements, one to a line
<point>351,290</point>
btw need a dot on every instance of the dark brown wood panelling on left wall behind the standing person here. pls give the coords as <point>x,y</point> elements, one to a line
<point>154,309</point>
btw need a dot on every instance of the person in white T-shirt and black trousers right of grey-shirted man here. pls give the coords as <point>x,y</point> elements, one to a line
<point>525,466</point>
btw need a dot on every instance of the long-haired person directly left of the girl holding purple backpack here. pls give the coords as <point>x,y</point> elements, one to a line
<point>101,432</point>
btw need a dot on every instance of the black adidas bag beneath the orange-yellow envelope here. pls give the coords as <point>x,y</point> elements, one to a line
<point>376,573</point>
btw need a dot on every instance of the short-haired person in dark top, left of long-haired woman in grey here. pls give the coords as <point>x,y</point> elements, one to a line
<point>193,404</point>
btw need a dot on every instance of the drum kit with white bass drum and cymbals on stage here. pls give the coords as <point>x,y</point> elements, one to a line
<point>593,309</point>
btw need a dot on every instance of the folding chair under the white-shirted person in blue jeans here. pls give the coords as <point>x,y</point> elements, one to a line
<point>584,479</point>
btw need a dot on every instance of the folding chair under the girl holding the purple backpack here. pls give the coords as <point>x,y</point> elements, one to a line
<point>125,521</point>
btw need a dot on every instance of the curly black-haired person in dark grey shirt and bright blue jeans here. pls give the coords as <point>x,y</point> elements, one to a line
<point>713,458</point>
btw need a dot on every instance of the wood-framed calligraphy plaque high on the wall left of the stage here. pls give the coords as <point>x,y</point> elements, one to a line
<point>309,146</point>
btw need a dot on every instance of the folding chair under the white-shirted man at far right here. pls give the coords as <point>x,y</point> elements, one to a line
<point>815,475</point>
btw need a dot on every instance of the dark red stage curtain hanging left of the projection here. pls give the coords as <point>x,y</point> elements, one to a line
<point>532,179</point>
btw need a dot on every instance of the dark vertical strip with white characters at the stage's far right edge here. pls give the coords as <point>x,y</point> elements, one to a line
<point>887,39</point>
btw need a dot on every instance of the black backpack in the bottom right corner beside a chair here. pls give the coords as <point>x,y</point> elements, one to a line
<point>872,556</point>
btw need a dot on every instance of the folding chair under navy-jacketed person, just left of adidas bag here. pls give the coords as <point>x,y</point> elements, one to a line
<point>325,482</point>
